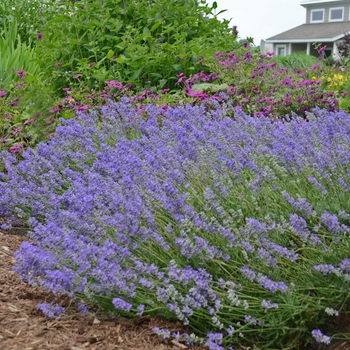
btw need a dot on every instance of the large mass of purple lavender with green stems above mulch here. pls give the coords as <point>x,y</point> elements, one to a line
<point>192,214</point>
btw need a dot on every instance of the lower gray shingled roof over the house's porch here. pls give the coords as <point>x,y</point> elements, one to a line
<point>330,31</point>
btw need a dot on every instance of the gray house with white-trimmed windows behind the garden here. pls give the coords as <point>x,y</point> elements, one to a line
<point>327,21</point>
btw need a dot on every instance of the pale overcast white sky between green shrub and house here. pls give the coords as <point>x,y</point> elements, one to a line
<point>262,19</point>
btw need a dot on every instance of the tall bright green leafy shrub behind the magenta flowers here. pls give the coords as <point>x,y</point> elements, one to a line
<point>134,41</point>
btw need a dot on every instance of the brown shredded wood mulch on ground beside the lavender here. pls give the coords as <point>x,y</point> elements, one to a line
<point>22,327</point>
